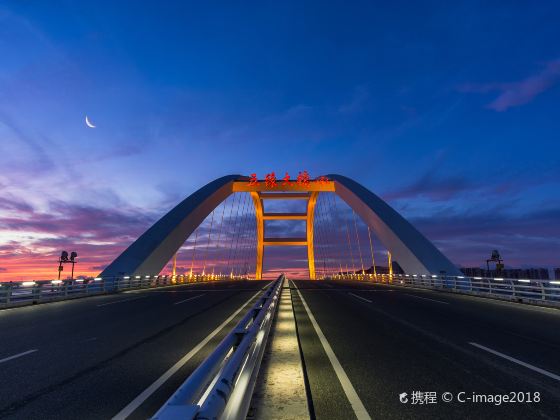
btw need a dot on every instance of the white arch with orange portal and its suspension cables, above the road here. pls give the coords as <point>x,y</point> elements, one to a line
<point>155,248</point>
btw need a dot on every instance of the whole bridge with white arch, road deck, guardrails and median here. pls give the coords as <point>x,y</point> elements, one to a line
<point>364,318</point>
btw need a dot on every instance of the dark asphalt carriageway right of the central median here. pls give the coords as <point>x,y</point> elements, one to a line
<point>390,340</point>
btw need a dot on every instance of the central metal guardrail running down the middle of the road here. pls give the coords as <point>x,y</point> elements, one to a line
<point>222,386</point>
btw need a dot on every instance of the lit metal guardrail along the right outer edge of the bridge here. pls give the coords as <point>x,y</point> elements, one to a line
<point>541,292</point>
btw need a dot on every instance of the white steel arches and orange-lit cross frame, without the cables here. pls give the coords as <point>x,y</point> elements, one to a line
<point>152,250</point>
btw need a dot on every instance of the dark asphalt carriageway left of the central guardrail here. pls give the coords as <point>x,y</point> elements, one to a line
<point>90,358</point>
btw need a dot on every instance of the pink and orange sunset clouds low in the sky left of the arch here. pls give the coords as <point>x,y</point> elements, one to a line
<point>98,235</point>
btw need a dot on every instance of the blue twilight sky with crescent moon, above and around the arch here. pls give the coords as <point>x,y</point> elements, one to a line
<point>447,110</point>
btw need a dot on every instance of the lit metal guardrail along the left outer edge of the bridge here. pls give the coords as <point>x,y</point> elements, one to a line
<point>31,292</point>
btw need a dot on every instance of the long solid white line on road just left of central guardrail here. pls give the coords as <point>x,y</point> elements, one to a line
<point>139,400</point>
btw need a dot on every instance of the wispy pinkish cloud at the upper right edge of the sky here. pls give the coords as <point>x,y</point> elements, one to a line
<point>521,92</point>
